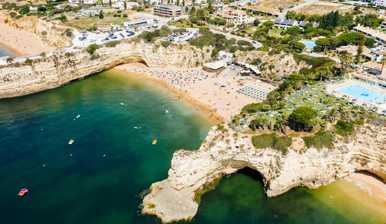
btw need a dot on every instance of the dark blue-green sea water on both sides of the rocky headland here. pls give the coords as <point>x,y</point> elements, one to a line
<point>100,178</point>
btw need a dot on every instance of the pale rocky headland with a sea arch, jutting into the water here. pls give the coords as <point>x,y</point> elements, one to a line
<point>225,151</point>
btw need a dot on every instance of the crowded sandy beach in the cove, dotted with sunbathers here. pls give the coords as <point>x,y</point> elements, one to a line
<point>216,92</point>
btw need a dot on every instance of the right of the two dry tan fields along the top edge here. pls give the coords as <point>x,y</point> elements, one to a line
<point>321,8</point>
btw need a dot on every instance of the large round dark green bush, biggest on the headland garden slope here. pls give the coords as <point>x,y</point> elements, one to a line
<point>302,119</point>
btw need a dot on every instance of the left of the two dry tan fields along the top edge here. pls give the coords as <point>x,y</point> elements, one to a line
<point>274,6</point>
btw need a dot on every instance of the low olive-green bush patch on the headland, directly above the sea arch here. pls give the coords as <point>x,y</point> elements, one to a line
<point>272,140</point>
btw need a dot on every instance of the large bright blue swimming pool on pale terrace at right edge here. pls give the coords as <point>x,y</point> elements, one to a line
<point>363,93</point>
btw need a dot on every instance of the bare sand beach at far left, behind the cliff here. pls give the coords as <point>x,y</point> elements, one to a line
<point>20,42</point>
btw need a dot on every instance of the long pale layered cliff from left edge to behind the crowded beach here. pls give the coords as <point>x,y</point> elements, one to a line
<point>23,76</point>
